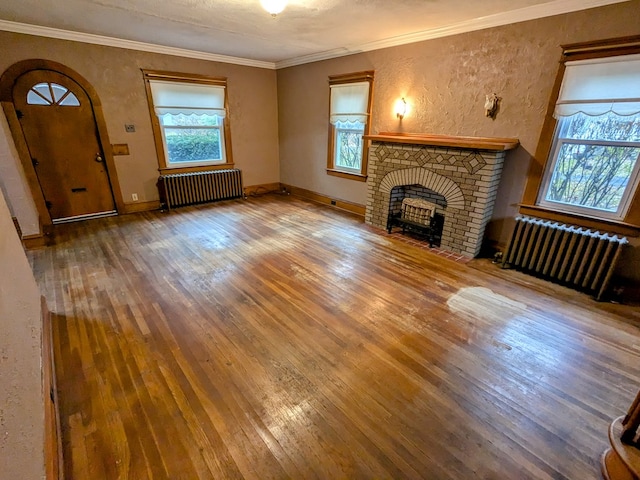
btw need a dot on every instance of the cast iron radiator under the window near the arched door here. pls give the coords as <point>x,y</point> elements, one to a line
<point>177,190</point>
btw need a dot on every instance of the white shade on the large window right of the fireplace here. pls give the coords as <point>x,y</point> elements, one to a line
<point>596,87</point>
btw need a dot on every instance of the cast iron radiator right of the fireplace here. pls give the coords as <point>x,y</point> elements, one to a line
<point>579,258</point>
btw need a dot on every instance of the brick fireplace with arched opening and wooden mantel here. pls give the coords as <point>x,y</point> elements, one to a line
<point>459,174</point>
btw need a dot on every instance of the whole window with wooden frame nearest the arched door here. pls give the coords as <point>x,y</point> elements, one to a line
<point>190,121</point>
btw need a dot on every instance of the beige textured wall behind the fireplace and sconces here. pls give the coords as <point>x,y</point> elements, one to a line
<point>445,81</point>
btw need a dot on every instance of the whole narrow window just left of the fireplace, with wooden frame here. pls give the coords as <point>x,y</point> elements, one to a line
<point>349,113</point>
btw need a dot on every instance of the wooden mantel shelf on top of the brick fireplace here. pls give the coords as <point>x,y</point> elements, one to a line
<point>474,143</point>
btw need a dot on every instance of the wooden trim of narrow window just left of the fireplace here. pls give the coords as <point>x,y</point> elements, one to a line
<point>356,77</point>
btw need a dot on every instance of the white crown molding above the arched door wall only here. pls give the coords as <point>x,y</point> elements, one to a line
<point>49,32</point>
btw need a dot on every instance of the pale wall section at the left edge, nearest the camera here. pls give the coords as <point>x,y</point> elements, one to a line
<point>21,397</point>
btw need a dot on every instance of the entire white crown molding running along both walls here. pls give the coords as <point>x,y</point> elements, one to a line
<point>555,7</point>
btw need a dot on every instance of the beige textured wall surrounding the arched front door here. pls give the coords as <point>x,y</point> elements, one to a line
<point>115,74</point>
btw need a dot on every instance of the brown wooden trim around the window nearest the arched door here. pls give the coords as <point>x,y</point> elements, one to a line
<point>158,133</point>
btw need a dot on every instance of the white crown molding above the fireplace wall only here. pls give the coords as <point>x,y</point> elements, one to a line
<point>556,7</point>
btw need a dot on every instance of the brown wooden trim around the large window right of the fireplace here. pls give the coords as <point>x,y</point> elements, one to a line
<point>630,223</point>
